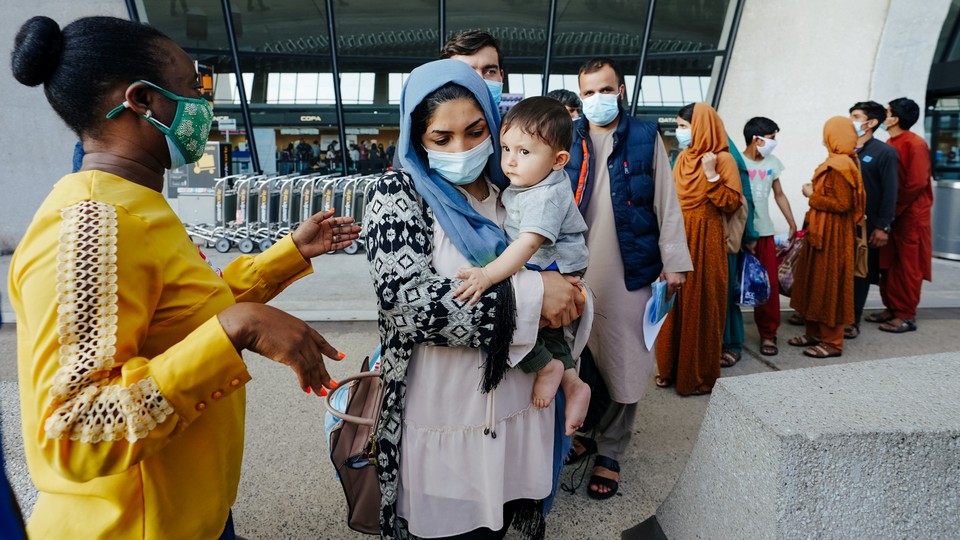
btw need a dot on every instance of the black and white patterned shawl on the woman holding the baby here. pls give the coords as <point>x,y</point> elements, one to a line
<point>417,307</point>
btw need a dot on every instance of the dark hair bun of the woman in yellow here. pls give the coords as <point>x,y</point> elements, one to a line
<point>36,51</point>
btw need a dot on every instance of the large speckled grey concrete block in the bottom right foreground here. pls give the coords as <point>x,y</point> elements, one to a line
<point>865,450</point>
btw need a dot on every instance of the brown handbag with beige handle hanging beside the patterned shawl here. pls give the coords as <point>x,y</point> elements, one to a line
<point>353,447</point>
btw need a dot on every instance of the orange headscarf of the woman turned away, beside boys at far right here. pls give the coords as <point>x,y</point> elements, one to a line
<point>840,138</point>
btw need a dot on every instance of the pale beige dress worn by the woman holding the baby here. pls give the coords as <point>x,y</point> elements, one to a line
<point>453,477</point>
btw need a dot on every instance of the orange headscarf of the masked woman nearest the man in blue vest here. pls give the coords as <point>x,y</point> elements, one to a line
<point>707,135</point>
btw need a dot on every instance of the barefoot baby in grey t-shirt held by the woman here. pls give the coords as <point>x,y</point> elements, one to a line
<point>545,230</point>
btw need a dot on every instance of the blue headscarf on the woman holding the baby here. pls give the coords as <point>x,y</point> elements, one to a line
<point>476,237</point>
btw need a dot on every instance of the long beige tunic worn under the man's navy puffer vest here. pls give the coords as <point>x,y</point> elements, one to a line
<point>617,337</point>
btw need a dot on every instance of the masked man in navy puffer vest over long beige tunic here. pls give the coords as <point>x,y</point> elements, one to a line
<point>624,188</point>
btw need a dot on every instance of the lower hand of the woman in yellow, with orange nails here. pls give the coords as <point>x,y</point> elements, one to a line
<point>282,338</point>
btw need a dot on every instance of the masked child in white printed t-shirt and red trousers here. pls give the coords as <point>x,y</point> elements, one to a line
<point>764,169</point>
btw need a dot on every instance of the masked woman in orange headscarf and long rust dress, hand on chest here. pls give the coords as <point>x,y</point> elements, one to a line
<point>708,186</point>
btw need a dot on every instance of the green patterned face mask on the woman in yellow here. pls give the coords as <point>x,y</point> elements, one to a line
<point>188,133</point>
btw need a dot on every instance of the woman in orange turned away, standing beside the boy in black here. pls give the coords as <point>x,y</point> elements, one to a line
<point>823,275</point>
